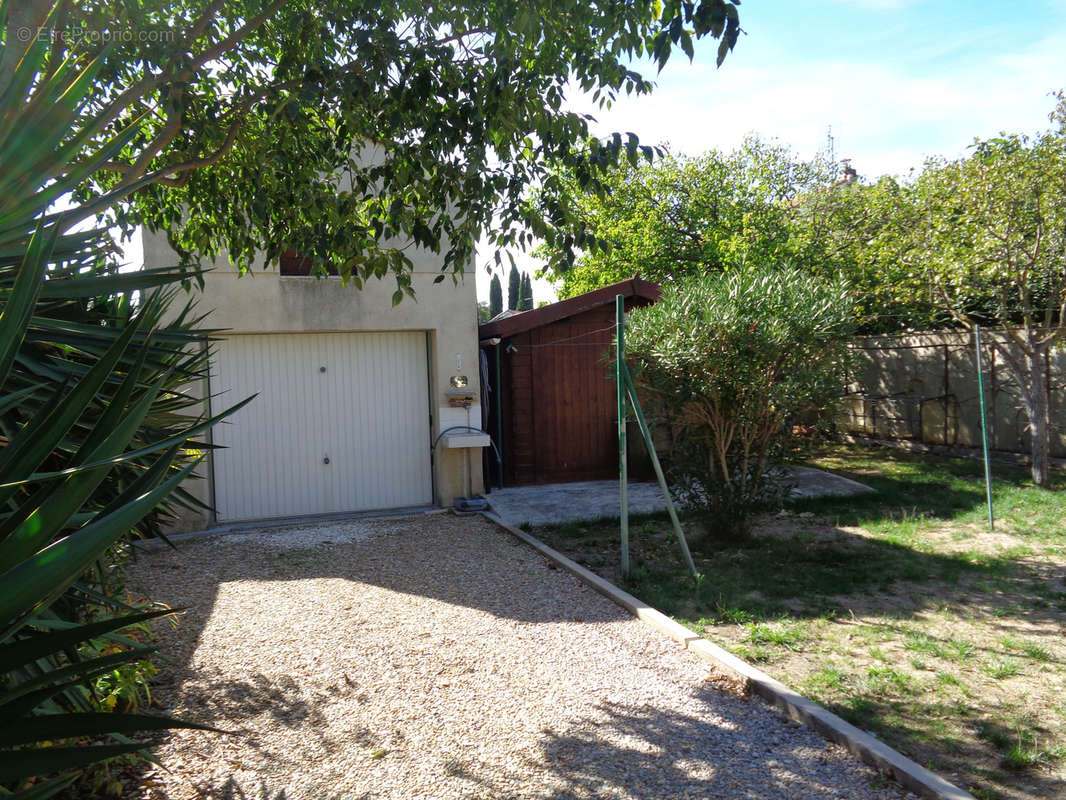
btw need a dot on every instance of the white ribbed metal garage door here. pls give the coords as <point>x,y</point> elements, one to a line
<point>342,424</point>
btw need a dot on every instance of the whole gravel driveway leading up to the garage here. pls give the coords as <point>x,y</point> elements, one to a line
<point>438,658</point>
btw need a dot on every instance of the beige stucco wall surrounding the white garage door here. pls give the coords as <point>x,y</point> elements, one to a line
<point>263,301</point>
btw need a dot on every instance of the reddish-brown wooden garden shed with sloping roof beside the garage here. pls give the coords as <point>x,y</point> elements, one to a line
<point>551,398</point>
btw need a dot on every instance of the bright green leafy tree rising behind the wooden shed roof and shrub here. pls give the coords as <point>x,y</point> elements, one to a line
<point>682,217</point>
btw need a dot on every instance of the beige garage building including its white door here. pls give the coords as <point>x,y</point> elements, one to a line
<point>353,395</point>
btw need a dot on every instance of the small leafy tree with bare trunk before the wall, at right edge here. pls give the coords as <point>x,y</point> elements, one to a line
<point>990,248</point>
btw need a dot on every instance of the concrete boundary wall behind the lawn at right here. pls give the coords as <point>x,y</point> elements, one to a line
<point>924,388</point>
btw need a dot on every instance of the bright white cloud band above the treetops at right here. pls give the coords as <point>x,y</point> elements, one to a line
<point>884,118</point>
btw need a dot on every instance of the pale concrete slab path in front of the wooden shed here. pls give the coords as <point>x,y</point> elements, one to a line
<point>564,503</point>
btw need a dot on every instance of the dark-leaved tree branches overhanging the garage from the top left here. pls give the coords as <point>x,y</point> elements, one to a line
<point>432,120</point>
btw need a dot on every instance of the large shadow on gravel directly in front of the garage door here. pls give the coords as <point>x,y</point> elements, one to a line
<point>434,557</point>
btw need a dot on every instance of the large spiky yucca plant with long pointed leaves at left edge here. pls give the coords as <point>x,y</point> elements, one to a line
<point>92,433</point>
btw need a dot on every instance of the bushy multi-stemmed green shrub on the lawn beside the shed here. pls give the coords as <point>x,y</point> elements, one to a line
<point>729,362</point>
